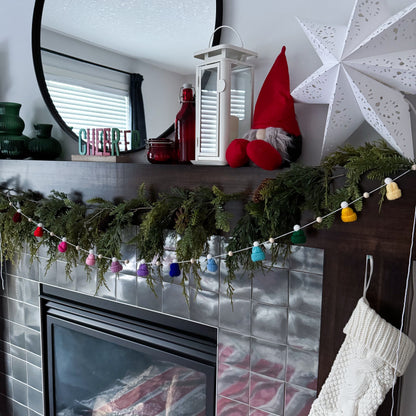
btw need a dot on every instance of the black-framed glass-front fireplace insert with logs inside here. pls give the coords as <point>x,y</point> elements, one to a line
<point>104,358</point>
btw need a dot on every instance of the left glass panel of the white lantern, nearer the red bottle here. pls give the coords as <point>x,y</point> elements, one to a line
<point>208,144</point>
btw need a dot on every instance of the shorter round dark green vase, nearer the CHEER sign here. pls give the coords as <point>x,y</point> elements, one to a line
<point>43,146</point>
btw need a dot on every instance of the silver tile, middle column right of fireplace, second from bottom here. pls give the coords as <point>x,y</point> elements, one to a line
<point>268,359</point>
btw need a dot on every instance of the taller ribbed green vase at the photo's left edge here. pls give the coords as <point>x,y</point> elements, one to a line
<point>13,144</point>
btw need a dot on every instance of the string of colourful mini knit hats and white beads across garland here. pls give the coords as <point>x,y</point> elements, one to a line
<point>297,234</point>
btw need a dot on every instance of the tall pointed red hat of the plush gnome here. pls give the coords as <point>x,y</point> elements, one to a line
<point>275,106</point>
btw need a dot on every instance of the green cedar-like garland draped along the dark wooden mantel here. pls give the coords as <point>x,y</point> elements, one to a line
<point>194,215</point>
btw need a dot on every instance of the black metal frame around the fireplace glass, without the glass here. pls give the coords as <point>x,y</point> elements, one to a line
<point>186,342</point>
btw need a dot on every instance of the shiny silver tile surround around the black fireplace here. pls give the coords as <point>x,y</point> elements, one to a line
<point>267,341</point>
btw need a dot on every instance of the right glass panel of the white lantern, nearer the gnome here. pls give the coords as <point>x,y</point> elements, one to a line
<point>241,96</point>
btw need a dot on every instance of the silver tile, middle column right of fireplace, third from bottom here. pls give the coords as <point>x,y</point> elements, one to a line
<point>269,323</point>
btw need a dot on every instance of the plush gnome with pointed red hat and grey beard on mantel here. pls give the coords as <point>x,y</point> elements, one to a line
<point>274,139</point>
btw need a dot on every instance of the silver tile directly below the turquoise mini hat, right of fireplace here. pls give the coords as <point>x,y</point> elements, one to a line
<point>271,287</point>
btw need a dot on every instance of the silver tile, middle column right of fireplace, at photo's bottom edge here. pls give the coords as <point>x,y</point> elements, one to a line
<point>267,394</point>
